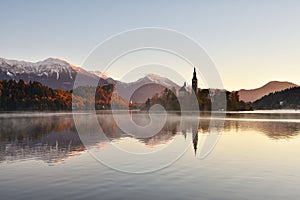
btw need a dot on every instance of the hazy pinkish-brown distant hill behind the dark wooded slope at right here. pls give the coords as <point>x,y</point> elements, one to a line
<point>255,94</point>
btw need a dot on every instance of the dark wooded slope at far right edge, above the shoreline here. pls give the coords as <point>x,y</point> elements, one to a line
<point>286,99</point>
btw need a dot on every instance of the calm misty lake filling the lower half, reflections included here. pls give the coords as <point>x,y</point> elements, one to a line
<point>255,155</point>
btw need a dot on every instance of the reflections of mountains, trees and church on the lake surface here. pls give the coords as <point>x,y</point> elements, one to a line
<point>53,137</point>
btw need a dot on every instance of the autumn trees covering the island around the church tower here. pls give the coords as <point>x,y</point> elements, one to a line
<point>170,101</point>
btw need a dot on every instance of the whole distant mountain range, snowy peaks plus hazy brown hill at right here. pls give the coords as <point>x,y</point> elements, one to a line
<point>60,74</point>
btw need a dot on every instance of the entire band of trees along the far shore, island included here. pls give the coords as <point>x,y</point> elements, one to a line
<point>22,96</point>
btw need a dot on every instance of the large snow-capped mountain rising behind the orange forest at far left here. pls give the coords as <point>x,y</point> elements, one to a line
<point>53,72</point>
